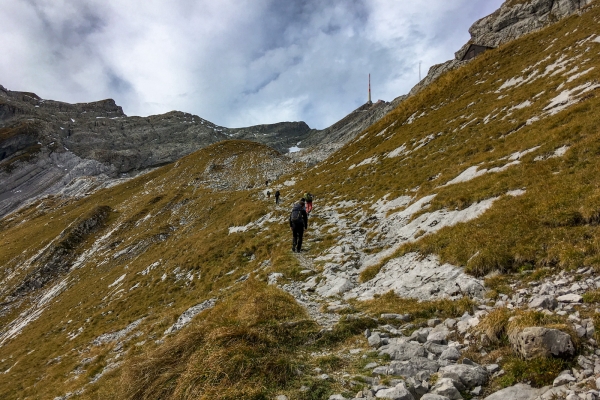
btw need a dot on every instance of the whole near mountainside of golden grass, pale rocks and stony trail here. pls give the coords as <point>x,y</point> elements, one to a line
<point>452,252</point>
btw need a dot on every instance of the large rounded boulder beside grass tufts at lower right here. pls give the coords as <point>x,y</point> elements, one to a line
<point>542,342</point>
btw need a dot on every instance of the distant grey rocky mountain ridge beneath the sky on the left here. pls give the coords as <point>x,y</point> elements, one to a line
<point>50,147</point>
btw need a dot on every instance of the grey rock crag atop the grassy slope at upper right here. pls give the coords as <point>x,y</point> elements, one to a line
<point>509,22</point>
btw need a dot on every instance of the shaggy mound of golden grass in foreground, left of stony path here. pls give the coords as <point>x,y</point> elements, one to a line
<point>241,349</point>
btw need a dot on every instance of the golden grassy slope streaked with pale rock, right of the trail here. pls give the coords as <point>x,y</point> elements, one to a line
<point>555,222</point>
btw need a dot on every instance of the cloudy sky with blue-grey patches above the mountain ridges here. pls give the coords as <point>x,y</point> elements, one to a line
<point>233,62</point>
